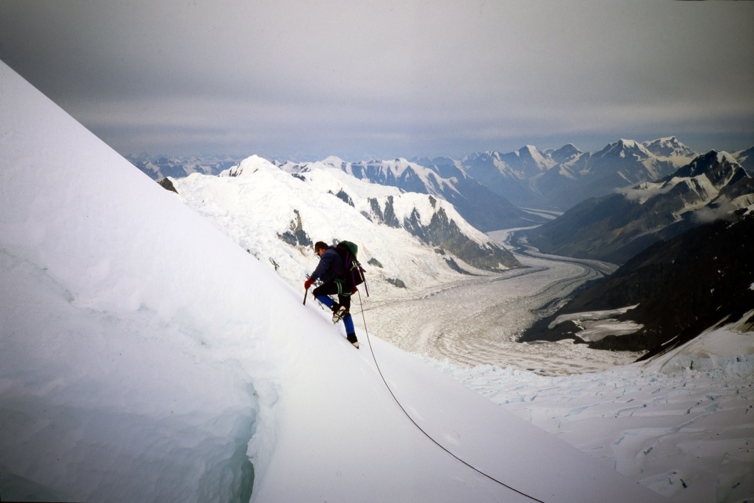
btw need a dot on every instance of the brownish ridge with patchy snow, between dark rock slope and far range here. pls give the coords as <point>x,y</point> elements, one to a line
<point>616,227</point>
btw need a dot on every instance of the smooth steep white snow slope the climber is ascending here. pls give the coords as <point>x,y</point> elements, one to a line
<point>145,358</point>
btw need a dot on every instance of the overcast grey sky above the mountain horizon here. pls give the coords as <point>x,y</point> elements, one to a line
<point>383,79</point>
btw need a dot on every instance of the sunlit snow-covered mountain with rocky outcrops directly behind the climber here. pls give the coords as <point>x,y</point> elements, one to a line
<point>277,217</point>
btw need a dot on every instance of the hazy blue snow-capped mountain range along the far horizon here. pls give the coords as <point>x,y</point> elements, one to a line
<point>489,188</point>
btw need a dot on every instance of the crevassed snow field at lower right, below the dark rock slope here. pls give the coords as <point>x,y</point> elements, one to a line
<point>682,429</point>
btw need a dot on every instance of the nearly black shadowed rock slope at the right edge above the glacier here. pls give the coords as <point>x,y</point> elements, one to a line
<point>683,286</point>
